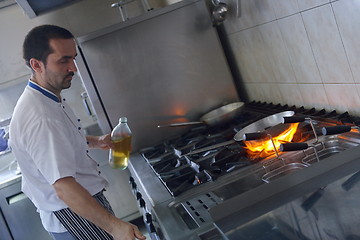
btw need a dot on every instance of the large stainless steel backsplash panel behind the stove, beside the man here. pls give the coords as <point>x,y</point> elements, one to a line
<point>165,66</point>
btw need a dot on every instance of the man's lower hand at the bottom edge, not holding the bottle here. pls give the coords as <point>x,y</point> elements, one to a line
<point>126,231</point>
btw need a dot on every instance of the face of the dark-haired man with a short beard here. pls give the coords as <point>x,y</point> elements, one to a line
<point>60,67</point>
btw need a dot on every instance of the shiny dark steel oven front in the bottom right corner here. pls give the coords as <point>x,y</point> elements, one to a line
<point>326,213</point>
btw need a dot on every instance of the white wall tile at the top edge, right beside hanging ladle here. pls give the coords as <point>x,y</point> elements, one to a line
<point>251,13</point>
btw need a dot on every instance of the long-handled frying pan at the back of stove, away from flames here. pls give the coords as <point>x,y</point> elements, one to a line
<point>214,117</point>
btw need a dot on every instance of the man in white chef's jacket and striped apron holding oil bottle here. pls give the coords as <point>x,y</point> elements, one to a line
<point>58,175</point>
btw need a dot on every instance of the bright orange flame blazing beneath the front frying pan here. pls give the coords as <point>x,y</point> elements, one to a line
<point>264,147</point>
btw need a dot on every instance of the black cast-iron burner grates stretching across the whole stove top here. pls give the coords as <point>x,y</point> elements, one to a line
<point>180,173</point>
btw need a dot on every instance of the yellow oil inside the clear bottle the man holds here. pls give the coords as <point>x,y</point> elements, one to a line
<point>120,153</point>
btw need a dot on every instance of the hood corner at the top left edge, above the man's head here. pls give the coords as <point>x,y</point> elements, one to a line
<point>33,8</point>
